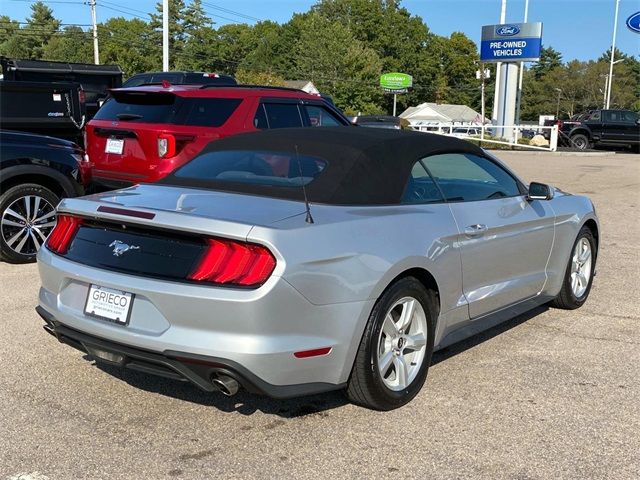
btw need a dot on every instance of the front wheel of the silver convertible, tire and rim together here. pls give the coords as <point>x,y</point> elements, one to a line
<point>578,277</point>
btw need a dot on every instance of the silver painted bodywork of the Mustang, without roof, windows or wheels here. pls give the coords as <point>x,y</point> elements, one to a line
<point>328,274</point>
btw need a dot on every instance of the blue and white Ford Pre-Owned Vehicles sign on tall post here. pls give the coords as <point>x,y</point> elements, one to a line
<point>519,42</point>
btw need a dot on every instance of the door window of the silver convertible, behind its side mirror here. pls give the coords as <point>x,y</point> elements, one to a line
<point>465,177</point>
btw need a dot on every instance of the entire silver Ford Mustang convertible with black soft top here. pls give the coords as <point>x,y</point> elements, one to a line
<point>298,261</point>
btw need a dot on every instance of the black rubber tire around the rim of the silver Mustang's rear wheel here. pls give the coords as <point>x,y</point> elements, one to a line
<point>366,387</point>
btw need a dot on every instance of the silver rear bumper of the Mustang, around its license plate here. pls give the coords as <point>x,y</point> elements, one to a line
<point>253,333</point>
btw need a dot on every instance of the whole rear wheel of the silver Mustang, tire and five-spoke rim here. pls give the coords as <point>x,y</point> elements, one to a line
<point>395,351</point>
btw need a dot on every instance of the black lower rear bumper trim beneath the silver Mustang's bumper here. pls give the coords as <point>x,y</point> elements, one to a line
<point>182,366</point>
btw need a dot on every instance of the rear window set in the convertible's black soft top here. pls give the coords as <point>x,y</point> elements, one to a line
<point>278,169</point>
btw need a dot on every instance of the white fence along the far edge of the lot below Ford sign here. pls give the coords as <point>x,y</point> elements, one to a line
<point>496,134</point>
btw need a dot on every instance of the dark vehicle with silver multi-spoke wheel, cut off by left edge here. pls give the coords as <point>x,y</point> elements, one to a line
<point>35,173</point>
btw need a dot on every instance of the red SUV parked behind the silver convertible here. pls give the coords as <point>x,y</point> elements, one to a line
<point>143,133</point>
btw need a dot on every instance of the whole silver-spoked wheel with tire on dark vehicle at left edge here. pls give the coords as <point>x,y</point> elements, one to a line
<point>27,216</point>
